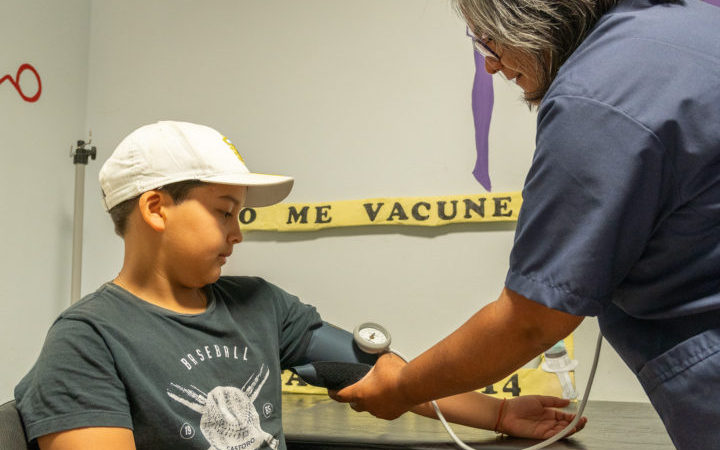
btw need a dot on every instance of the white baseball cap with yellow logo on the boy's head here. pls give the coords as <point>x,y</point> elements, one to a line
<point>166,152</point>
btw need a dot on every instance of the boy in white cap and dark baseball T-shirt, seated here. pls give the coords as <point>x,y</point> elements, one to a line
<point>170,354</point>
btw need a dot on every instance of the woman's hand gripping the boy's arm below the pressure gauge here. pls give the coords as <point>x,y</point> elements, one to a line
<point>378,392</point>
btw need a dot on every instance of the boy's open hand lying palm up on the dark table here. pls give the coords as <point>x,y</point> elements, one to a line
<point>534,416</point>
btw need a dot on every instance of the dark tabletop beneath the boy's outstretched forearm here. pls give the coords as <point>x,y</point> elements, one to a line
<point>316,422</point>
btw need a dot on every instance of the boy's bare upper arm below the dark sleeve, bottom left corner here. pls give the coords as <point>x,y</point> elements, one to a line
<point>107,438</point>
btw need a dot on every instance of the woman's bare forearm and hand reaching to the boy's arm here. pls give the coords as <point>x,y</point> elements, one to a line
<point>493,343</point>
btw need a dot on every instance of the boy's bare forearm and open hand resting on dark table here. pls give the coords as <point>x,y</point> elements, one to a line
<point>531,416</point>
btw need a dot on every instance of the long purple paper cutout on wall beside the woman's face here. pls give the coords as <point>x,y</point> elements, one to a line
<point>482,103</point>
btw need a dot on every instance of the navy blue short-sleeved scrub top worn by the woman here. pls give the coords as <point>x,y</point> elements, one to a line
<point>621,209</point>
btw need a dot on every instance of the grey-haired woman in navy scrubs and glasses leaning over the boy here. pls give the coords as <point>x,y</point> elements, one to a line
<point>621,211</point>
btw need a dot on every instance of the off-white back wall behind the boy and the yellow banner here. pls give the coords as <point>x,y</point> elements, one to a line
<point>354,99</point>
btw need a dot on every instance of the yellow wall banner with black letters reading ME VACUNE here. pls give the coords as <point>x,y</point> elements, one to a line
<point>409,211</point>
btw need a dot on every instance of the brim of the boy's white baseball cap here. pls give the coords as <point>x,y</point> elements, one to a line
<point>263,190</point>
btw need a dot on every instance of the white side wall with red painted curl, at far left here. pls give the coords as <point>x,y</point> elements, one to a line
<point>36,171</point>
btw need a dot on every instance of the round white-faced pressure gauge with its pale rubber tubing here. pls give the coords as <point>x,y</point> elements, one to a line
<point>373,338</point>
